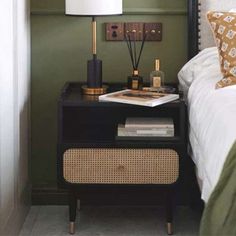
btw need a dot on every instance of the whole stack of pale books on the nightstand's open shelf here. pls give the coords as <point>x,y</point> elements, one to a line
<point>147,127</point>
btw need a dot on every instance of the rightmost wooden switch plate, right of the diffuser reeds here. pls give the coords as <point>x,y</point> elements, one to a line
<point>153,31</point>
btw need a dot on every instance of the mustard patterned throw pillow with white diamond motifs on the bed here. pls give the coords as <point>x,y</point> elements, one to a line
<point>223,25</point>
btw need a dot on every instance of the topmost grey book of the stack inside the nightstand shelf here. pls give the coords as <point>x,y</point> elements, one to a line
<point>149,122</point>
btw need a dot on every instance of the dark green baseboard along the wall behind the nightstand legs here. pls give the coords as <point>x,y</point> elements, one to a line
<point>98,197</point>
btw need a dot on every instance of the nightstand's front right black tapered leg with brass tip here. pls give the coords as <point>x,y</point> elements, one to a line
<point>169,210</point>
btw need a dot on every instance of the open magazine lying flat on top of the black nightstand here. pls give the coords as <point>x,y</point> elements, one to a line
<point>139,97</point>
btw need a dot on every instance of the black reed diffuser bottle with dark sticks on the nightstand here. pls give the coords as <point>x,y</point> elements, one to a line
<point>135,81</point>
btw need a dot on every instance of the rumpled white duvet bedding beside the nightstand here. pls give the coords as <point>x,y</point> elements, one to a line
<point>212,117</point>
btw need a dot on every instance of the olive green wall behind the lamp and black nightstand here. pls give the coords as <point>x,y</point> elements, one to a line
<point>60,47</point>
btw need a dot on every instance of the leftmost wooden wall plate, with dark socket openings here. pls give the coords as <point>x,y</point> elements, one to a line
<point>115,31</point>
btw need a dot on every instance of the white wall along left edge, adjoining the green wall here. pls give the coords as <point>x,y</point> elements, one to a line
<point>14,114</point>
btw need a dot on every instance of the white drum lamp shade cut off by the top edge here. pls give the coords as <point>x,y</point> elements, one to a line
<point>94,7</point>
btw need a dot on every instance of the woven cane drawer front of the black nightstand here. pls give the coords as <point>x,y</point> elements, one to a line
<point>120,166</point>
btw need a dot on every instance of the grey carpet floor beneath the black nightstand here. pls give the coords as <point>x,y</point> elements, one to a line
<point>110,221</point>
